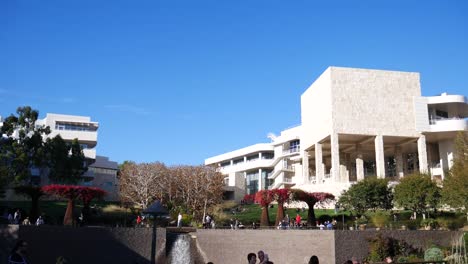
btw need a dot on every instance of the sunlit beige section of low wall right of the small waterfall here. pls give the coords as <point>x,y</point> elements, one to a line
<point>282,246</point>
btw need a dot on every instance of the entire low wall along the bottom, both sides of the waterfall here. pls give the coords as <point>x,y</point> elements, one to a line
<point>133,245</point>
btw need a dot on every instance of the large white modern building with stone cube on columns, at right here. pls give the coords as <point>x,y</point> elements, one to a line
<point>355,123</point>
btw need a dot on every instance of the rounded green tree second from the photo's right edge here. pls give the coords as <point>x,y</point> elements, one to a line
<point>418,193</point>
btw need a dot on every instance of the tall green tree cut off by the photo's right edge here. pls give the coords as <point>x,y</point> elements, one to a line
<point>455,189</point>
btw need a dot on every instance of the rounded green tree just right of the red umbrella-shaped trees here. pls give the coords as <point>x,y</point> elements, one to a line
<point>369,194</point>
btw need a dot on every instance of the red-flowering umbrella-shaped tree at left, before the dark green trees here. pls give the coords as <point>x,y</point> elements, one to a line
<point>72,193</point>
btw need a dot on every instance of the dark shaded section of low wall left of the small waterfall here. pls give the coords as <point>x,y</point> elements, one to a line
<point>92,244</point>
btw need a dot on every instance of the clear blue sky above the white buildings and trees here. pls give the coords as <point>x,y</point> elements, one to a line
<point>180,81</point>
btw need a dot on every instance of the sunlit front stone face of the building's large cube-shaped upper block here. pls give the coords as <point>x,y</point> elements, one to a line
<point>374,102</point>
